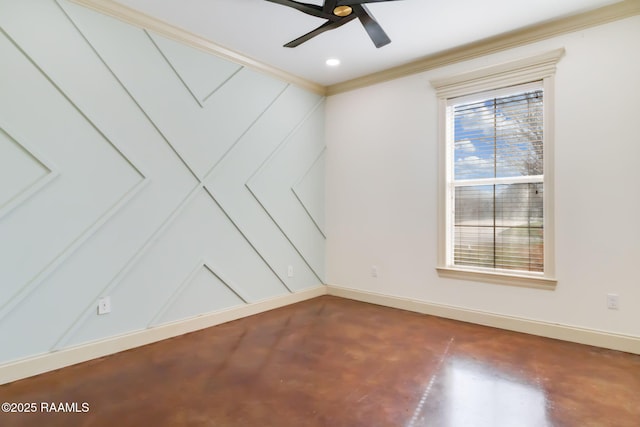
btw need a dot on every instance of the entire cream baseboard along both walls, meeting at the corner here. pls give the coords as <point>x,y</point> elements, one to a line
<point>59,359</point>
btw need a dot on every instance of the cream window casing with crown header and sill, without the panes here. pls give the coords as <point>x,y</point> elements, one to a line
<point>540,68</point>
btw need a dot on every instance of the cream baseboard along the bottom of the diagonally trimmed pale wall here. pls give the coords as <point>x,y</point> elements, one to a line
<point>59,359</point>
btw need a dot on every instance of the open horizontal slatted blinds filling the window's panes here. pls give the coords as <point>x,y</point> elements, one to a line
<point>498,181</point>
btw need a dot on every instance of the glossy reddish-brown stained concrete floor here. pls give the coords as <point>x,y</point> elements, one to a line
<point>335,362</point>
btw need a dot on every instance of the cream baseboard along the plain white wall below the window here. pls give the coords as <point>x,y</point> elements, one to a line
<point>592,337</point>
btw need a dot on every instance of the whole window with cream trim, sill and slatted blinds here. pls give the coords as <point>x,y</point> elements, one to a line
<point>496,216</point>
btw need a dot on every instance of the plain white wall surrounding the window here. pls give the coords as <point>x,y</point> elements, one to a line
<point>382,187</point>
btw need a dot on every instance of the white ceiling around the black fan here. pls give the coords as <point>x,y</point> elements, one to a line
<point>417,28</point>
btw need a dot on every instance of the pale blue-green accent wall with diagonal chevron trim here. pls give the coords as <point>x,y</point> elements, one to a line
<point>175,182</point>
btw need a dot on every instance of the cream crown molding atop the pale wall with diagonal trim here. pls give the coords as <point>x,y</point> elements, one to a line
<point>142,20</point>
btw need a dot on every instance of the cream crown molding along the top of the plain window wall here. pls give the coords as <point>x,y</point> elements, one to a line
<point>509,40</point>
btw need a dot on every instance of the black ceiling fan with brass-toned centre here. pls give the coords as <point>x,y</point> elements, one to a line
<point>338,13</point>
